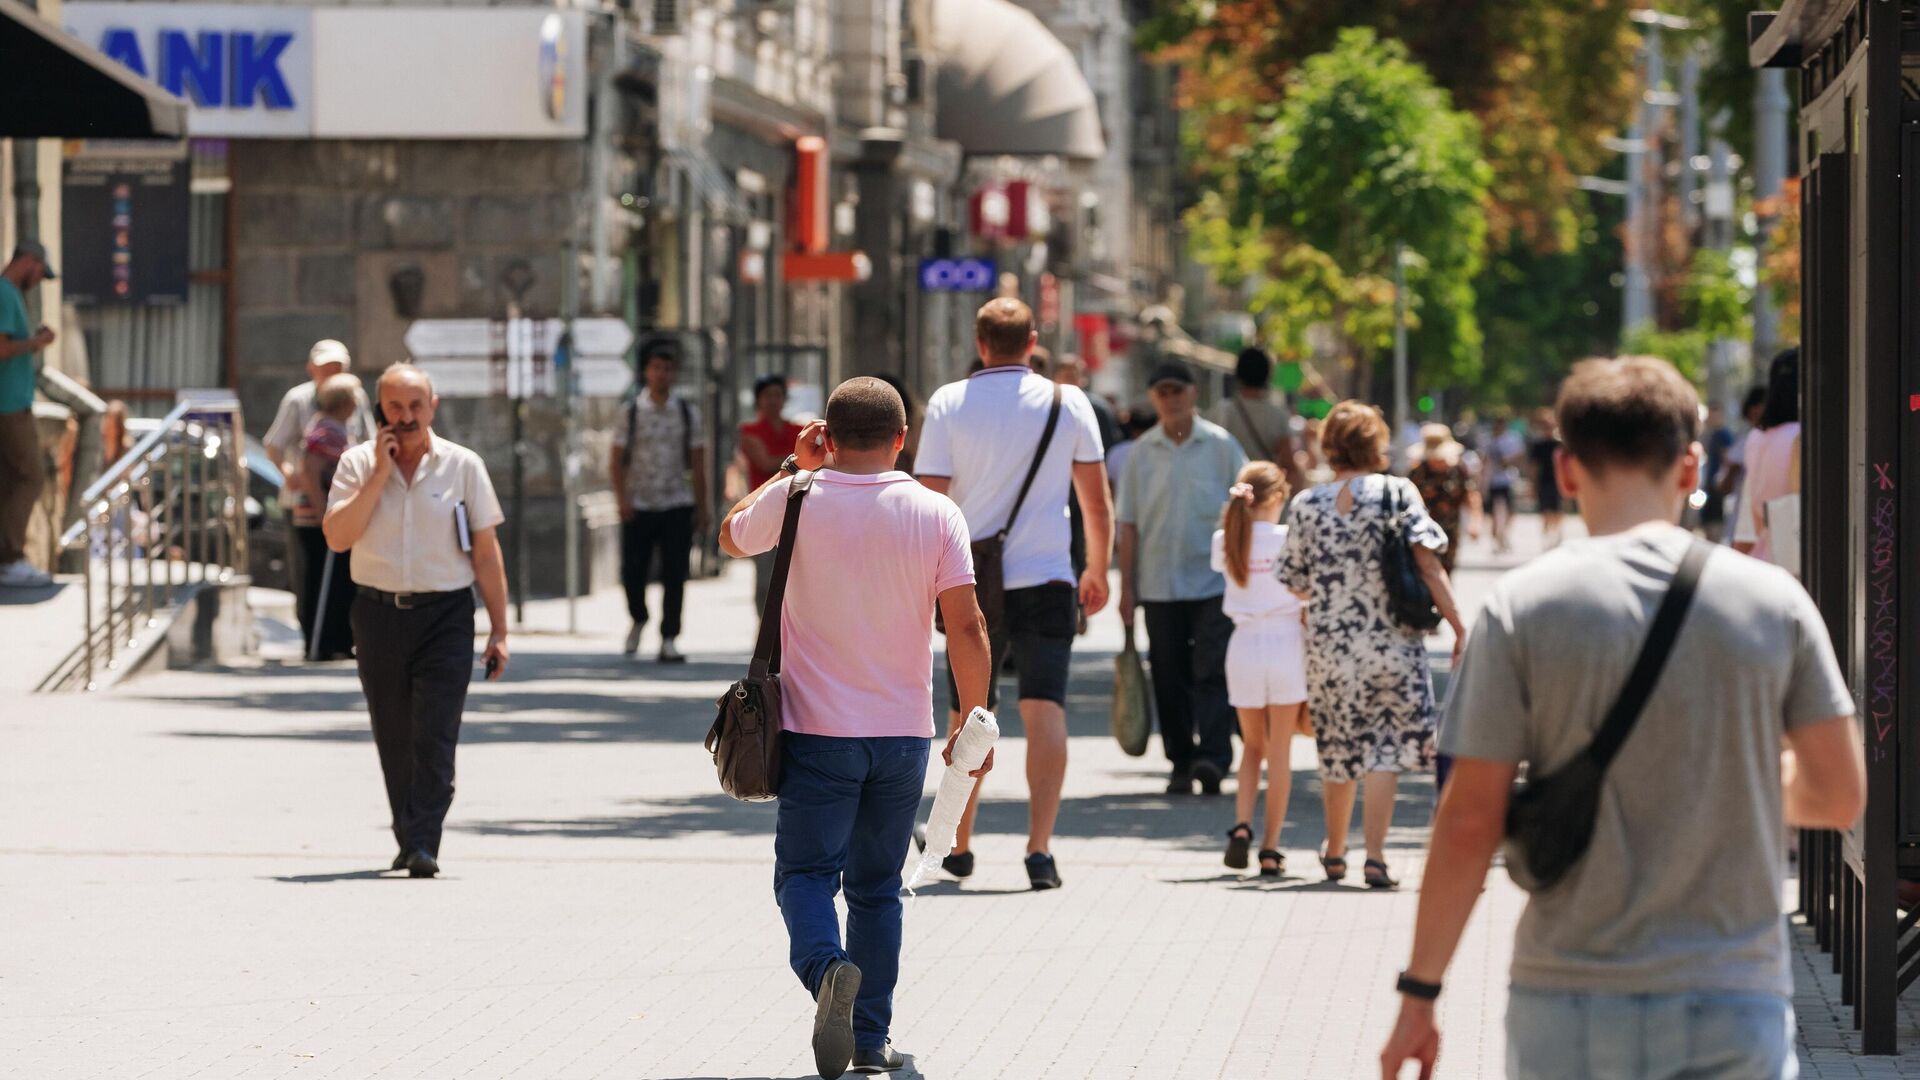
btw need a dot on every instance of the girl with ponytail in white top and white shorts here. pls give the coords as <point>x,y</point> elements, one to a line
<point>1266,658</point>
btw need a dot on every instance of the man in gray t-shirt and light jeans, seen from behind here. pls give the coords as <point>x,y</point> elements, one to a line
<point>1666,941</point>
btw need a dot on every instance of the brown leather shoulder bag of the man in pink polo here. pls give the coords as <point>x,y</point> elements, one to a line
<point>746,735</point>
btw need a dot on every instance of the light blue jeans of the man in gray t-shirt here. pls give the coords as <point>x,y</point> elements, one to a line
<point>1568,1035</point>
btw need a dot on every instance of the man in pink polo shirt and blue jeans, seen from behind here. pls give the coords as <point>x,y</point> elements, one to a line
<point>873,556</point>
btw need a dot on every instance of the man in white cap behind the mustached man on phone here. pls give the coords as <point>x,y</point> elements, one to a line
<point>285,447</point>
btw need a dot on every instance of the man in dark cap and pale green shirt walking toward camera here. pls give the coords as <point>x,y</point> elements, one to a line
<point>1170,499</point>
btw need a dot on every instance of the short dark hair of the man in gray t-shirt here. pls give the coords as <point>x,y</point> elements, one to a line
<point>1635,412</point>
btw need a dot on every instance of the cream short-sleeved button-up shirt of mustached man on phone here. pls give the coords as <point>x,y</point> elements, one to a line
<point>412,543</point>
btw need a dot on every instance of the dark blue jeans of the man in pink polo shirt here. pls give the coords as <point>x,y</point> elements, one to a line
<point>848,812</point>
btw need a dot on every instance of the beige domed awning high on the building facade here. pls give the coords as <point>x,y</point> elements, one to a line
<point>1007,86</point>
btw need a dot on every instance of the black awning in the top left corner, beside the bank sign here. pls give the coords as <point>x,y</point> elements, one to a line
<point>55,87</point>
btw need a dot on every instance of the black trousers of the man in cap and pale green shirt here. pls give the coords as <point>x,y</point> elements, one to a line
<point>1188,649</point>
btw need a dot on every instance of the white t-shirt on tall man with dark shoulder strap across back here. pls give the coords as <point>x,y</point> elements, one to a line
<point>982,435</point>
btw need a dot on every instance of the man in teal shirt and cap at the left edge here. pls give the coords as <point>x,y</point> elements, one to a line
<point>20,439</point>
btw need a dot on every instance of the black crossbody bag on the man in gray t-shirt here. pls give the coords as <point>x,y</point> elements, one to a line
<point>1550,822</point>
